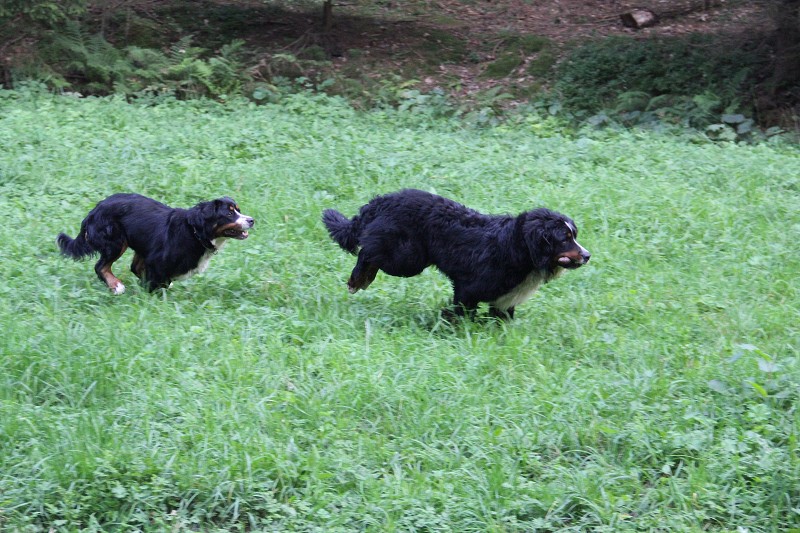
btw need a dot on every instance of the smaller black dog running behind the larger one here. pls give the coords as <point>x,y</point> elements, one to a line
<point>169,243</point>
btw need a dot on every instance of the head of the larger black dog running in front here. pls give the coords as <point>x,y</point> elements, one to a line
<point>551,239</point>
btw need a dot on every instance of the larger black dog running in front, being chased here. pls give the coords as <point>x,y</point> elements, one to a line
<point>489,258</point>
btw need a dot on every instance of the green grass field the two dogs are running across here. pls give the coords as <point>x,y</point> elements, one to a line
<point>656,388</point>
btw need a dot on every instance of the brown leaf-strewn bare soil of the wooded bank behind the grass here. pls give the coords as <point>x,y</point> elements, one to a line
<point>441,43</point>
